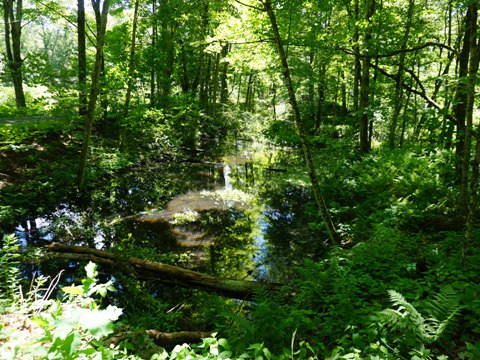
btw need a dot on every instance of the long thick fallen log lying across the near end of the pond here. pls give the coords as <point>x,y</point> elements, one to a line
<point>152,270</point>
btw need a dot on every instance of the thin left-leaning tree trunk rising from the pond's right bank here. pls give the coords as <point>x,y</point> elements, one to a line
<point>332,232</point>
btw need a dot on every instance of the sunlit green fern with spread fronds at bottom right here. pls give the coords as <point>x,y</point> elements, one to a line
<point>406,319</point>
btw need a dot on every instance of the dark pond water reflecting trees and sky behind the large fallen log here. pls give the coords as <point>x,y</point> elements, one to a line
<point>229,216</point>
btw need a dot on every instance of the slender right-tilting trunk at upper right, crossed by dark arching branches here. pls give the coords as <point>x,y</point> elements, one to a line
<point>398,98</point>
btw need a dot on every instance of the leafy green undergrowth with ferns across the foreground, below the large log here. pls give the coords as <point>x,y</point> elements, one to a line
<point>377,300</point>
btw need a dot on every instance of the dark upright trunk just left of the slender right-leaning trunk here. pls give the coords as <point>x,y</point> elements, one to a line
<point>82,59</point>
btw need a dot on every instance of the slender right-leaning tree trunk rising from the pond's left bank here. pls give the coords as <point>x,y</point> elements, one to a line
<point>94,89</point>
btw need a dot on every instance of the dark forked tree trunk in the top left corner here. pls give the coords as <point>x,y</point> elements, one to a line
<point>13,33</point>
